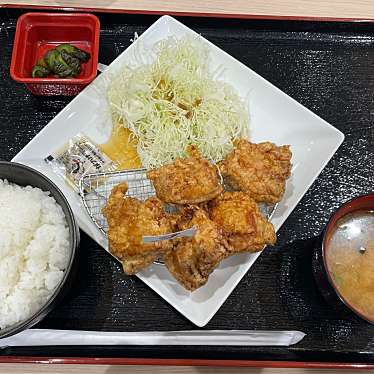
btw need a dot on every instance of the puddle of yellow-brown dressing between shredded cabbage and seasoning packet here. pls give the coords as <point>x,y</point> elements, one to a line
<point>121,148</point>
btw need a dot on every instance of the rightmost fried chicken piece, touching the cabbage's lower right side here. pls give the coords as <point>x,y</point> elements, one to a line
<point>260,170</point>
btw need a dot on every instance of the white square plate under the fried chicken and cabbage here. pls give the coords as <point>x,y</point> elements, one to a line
<point>274,116</point>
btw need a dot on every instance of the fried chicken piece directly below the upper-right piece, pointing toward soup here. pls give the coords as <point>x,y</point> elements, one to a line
<point>242,222</point>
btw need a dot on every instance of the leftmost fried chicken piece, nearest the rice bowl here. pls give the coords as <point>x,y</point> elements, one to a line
<point>129,219</point>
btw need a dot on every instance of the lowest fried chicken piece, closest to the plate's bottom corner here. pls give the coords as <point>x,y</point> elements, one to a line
<point>193,259</point>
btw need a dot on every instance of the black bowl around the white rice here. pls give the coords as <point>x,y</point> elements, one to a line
<point>36,317</point>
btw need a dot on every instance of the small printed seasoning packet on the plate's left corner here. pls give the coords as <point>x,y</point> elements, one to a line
<point>77,158</point>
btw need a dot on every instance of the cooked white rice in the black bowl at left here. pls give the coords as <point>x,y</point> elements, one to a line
<point>34,250</point>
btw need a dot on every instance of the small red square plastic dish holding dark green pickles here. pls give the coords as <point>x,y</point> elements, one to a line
<point>36,33</point>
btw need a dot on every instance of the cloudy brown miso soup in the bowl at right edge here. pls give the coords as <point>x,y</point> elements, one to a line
<point>350,260</point>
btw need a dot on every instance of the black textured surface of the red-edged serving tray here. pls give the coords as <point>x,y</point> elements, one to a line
<point>326,66</point>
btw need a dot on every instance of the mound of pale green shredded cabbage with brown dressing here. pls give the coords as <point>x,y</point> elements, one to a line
<point>175,101</point>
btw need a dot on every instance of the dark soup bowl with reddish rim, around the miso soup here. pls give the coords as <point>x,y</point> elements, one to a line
<point>324,249</point>
